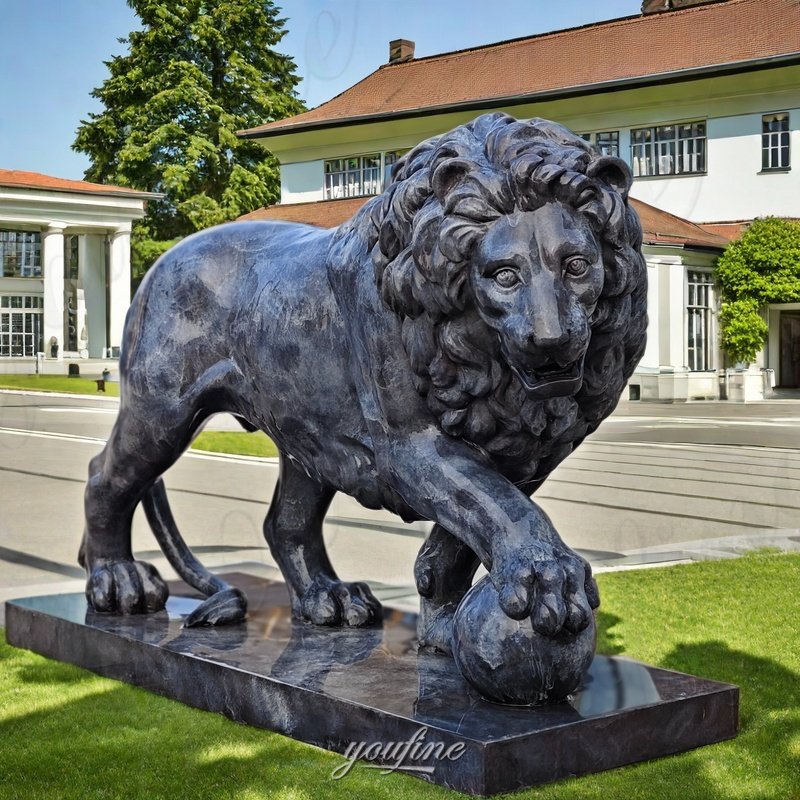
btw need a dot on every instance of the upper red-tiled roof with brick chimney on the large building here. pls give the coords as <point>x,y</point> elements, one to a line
<point>646,47</point>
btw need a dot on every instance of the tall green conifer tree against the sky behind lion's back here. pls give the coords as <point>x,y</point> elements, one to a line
<point>196,72</point>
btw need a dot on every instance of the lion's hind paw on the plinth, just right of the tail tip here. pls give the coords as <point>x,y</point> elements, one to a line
<point>332,602</point>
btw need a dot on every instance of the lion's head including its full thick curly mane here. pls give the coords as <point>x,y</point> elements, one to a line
<point>510,253</point>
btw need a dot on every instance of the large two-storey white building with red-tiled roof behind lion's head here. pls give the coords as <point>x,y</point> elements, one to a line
<point>702,101</point>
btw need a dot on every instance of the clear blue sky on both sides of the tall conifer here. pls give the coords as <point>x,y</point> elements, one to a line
<point>53,51</point>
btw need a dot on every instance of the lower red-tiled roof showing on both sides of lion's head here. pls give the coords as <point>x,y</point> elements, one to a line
<point>659,226</point>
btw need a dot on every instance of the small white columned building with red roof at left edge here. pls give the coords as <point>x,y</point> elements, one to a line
<point>65,278</point>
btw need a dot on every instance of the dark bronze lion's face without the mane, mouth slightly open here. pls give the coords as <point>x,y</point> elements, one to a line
<point>536,277</point>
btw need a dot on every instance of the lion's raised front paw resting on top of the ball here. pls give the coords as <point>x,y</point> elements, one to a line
<point>553,585</point>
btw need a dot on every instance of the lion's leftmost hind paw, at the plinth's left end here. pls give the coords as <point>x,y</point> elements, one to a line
<point>126,587</point>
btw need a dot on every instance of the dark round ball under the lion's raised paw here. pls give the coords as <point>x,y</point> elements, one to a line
<point>507,661</point>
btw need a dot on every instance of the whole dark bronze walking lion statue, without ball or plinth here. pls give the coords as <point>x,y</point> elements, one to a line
<point>437,355</point>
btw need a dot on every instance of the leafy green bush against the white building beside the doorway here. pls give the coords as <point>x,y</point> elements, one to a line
<point>760,268</point>
